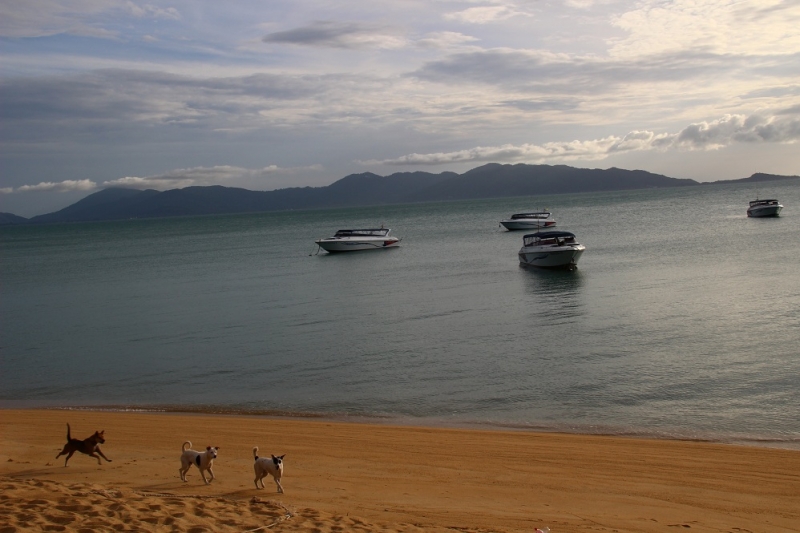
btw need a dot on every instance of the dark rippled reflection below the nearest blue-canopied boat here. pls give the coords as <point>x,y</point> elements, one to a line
<point>554,296</point>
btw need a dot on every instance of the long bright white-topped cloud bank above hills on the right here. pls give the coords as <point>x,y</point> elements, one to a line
<point>715,134</point>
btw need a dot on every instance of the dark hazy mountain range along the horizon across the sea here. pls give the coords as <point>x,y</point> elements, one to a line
<point>488,181</point>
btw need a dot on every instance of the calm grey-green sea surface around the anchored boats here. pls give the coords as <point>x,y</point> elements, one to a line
<point>682,320</point>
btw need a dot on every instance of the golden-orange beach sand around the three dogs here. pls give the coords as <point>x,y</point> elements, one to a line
<point>371,477</point>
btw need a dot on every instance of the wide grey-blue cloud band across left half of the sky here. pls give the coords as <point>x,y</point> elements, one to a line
<point>55,107</point>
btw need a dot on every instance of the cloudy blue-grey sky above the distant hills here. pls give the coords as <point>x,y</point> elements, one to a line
<point>272,94</point>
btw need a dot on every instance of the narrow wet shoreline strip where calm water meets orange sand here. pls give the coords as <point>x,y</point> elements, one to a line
<point>788,443</point>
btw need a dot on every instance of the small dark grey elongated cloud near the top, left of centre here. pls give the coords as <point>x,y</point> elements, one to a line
<point>331,34</point>
